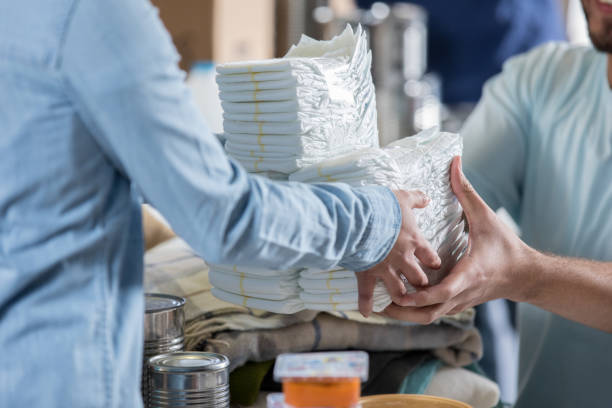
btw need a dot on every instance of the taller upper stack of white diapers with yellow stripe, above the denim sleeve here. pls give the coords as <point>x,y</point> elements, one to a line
<point>317,102</point>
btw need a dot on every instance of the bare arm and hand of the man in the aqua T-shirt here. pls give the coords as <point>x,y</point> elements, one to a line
<point>499,265</point>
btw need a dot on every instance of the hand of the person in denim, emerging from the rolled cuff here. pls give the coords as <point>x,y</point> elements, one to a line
<point>402,259</point>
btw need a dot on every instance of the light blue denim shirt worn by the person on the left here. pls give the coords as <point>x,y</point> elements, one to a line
<point>92,104</point>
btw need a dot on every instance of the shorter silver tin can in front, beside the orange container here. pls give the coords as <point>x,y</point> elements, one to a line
<point>195,379</point>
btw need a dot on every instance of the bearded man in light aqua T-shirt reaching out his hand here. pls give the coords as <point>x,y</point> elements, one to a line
<point>539,144</point>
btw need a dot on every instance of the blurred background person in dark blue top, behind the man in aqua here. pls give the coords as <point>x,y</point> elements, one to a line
<point>468,42</point>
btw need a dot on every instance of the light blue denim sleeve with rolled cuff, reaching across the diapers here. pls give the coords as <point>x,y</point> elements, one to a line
<point>120,70</point>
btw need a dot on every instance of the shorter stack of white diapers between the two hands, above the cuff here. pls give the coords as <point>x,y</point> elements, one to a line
<point>420,162</point>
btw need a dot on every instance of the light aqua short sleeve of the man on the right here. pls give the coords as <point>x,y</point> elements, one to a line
<point>496,137</point>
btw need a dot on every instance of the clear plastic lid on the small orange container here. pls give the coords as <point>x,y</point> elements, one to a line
<point>344,364</point>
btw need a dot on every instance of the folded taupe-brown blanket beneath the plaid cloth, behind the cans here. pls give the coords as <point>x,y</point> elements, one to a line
<point>454,346</point>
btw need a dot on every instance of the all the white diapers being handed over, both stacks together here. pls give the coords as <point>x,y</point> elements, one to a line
<point>311,117</point>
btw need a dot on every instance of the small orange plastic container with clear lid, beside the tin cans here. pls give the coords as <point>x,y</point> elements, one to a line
<point>322,379</point>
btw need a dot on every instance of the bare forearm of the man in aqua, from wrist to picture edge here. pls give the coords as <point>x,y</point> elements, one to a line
<point>576,289</point>
